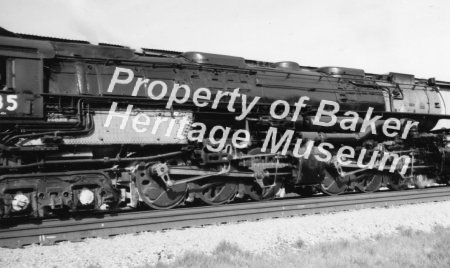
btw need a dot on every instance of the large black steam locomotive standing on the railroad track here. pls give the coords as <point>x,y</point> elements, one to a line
<point>57,155</point>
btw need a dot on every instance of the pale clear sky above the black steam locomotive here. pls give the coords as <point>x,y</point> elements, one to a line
<point>378,36</point>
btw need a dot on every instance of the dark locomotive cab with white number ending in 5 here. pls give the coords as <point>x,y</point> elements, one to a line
<point>21,81</point>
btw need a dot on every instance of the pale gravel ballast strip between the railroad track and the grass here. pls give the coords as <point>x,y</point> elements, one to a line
<point>271,236</point>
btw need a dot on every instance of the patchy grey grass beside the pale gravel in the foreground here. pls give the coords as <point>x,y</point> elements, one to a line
<point>408,248</point>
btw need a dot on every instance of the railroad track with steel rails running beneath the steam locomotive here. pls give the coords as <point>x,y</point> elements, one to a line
<point>53,230</point>
